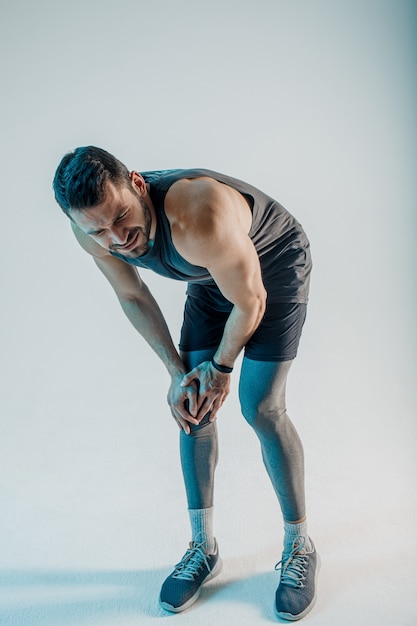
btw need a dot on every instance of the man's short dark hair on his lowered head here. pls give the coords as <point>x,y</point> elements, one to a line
<point>79,181</point>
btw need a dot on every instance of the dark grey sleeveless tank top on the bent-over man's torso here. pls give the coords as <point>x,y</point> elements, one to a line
<point>281,244</point>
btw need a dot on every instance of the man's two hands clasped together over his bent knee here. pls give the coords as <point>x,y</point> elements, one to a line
<point>199,392</point>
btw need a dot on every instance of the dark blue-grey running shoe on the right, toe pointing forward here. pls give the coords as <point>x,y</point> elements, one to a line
<point>296,593</point>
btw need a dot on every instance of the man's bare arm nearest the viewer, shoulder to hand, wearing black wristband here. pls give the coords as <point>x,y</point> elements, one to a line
<point>211,230</point>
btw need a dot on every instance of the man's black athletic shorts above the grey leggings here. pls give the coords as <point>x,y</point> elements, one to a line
<point>206,312</point>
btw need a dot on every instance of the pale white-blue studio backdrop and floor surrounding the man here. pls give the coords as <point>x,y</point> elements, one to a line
<point>314,102</point>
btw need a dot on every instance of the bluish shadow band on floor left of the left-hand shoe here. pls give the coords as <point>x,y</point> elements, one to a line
<point>46,598</point>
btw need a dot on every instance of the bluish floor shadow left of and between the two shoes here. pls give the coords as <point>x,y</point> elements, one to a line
<point>57,598</point>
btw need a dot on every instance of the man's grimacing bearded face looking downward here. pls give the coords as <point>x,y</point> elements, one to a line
<point>122,223</point>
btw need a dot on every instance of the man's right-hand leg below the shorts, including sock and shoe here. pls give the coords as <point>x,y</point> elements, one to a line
<point>262,396</point>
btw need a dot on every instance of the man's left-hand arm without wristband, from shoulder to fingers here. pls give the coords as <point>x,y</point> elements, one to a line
<point>145,315</point>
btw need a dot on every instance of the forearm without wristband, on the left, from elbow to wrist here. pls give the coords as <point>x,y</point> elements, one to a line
<point>146,317</point>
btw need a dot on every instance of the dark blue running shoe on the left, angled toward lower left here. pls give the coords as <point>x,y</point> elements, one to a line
<point>182,588</point>
